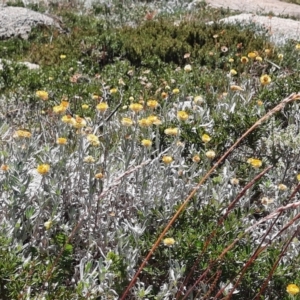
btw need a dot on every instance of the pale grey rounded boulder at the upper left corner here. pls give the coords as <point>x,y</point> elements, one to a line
<point>18,21</point>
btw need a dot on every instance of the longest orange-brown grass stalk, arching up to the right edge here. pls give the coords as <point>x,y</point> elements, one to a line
<point>276,109</point>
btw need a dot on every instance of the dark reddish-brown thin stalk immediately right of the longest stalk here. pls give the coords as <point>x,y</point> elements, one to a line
<point>220,222</point>
